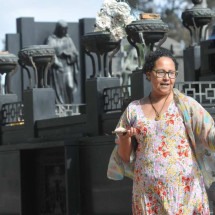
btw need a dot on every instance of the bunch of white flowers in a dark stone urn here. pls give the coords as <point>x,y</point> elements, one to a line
<point>113,17</point>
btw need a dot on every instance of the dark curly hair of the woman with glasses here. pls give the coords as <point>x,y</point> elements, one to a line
<point>153,56</point>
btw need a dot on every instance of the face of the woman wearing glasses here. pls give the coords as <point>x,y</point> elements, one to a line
<point>162,85</point>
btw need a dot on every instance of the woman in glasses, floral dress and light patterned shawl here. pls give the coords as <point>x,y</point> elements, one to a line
<point>172,131</point>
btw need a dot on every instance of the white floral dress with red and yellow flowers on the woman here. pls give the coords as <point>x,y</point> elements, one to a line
<point>167,179</point>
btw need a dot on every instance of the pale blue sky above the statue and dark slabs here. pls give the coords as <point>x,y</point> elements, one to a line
<point>44,10</point>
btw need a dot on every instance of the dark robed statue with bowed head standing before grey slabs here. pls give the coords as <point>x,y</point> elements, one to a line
<point>64,70</point>
